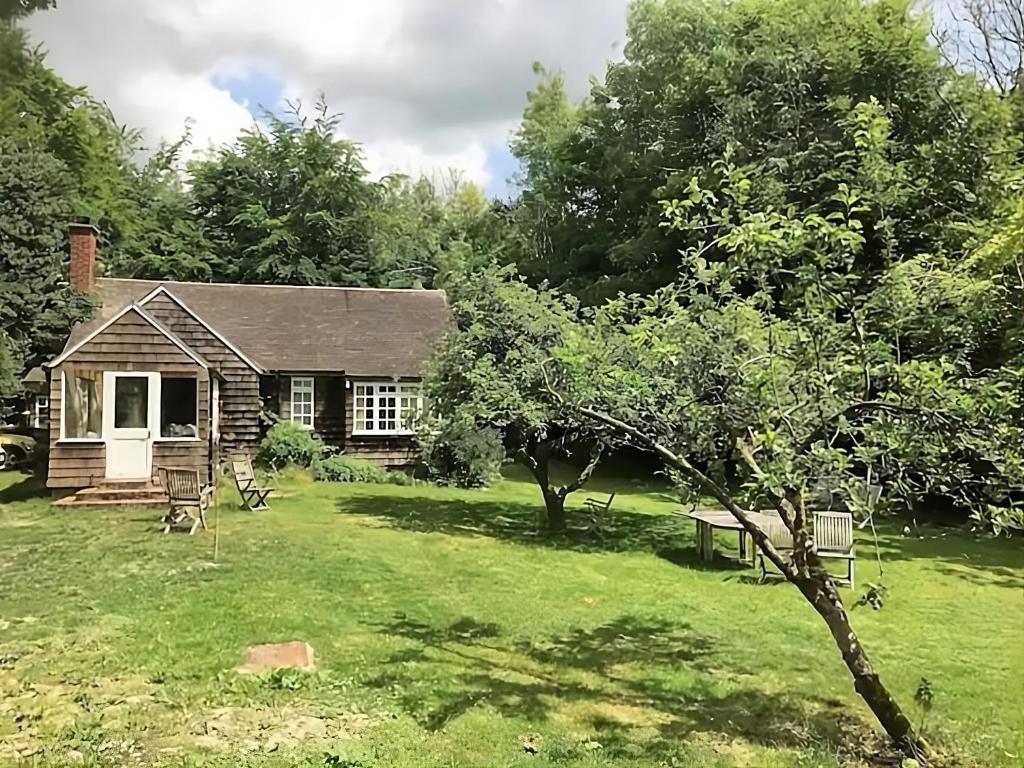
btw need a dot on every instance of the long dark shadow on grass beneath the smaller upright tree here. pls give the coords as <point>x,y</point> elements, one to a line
<point>621,531</point>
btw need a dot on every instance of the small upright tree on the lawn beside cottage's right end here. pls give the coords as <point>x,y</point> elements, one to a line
<point>489,370</point>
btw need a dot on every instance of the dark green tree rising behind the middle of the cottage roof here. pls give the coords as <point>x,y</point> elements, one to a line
<point>289,204</point>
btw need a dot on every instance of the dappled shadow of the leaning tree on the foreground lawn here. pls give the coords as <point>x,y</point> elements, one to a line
<point>637,682</point>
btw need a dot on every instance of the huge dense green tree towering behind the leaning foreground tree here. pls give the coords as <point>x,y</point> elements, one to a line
<point>772,82</point>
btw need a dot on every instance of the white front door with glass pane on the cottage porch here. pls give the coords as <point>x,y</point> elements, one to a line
<point>132,407</point>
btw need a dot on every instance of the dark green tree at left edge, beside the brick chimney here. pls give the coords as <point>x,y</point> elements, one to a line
<point>37,309</point>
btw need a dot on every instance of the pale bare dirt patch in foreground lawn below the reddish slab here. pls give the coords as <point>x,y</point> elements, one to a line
<point>271,730</point>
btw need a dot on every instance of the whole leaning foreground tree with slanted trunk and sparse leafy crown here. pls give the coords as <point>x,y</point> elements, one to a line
<point>782,360</point>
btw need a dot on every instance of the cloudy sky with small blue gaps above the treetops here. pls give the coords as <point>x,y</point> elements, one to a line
<point>423,86</point>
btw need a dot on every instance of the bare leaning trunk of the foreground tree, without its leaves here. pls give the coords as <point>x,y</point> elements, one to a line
<point>808,576</point>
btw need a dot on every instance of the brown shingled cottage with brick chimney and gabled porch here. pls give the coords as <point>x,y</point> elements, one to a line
<point>186,374</point>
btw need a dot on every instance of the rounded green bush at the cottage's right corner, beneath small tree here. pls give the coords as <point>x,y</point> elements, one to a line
<point>459,453</point>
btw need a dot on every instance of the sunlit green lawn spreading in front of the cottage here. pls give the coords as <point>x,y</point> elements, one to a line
<point>448,635</point>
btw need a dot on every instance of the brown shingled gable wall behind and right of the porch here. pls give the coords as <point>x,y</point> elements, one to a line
<point>240,391</point>
